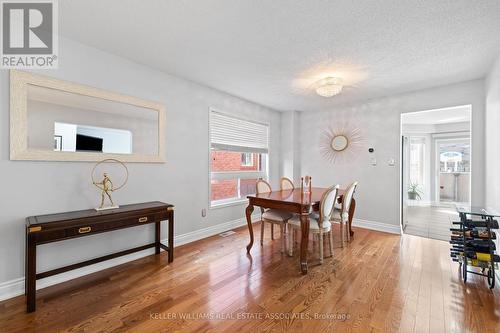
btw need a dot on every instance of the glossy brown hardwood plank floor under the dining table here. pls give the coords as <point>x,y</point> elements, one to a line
<point>379,282</point>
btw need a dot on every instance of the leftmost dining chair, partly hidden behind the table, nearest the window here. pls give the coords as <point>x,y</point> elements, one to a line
<point>272,216</point>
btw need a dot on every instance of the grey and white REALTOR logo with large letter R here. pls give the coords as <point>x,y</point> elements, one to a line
<point>29,34</point>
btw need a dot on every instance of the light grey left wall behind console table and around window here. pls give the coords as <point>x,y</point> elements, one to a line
<point>32,188</point>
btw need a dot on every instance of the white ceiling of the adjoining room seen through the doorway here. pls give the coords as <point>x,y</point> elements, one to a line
<point>439,116</point>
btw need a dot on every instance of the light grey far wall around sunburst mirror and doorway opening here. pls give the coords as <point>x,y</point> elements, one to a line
<point>378,195</point>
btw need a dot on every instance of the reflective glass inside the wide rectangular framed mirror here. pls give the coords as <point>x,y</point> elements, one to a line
<point>70,122</point>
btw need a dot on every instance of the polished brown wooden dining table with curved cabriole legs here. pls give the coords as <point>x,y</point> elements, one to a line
<point>293,201</point>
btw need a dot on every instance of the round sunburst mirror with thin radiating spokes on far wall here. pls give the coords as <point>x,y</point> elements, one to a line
<point>341,143</point>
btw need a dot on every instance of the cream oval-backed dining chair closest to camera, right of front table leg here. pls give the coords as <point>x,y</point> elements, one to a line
<point>318,224</point>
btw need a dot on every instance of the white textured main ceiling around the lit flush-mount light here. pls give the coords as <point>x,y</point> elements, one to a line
<point>271,52</point>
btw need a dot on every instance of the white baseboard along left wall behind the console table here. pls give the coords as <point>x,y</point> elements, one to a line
<point>15,287</point>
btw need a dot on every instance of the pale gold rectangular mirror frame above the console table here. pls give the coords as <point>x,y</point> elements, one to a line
<point>19,150</point>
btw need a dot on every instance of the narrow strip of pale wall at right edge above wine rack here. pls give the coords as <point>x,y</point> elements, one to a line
<point>493,137</point>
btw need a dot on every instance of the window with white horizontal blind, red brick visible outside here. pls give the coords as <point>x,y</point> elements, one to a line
<point>238,157</point>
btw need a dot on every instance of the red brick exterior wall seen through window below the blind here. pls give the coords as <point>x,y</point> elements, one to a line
<point>231,161</point>
